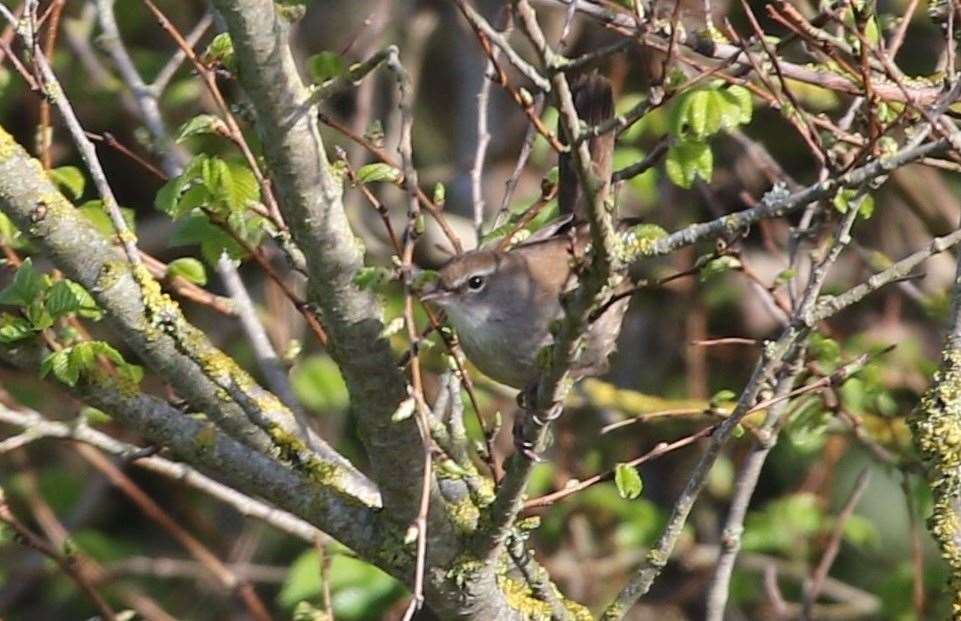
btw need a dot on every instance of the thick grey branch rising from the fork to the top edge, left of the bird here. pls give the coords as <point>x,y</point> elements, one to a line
<point>311,201</point>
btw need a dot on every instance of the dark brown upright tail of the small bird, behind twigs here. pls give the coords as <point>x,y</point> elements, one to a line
<point>594,102</point>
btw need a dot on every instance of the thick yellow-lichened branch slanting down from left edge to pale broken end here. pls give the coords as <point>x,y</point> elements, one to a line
<point>149,321</point>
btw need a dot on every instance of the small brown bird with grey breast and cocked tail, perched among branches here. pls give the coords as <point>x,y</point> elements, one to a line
<point>502,302</point>
